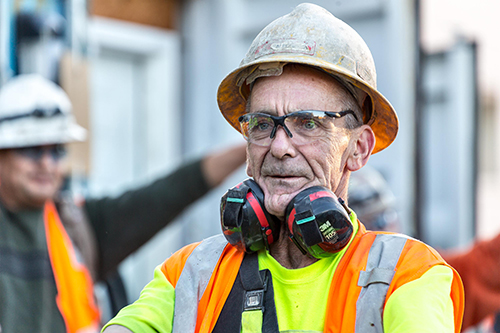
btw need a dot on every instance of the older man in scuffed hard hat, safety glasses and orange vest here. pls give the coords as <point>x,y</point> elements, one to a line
<point>293,257</point>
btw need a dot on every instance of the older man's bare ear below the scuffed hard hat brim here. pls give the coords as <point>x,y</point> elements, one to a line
<point>363,147</point>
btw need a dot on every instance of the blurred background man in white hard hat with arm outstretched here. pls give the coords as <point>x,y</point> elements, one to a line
<point>51,251</point>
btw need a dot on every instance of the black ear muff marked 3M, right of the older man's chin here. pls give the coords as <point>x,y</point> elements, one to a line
<point>317,222</point>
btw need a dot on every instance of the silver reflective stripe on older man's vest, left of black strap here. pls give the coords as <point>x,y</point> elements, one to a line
<point>193,280</point>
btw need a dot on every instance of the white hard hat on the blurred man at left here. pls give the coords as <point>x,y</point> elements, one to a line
<point>35,111</point>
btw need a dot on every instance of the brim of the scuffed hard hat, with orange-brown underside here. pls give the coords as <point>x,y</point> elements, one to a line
<point>384,120</point>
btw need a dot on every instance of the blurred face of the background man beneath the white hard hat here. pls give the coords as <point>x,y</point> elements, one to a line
<point>27,182</point>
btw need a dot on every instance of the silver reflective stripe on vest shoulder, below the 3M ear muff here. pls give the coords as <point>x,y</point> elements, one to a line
<point>375,280</point>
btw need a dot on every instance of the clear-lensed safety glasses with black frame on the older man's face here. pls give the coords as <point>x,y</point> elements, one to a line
<point>302,127</point>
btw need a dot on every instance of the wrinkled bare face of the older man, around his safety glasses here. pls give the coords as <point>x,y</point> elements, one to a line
<point>283,169</point>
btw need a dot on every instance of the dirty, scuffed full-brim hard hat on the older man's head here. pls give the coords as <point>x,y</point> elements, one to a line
<point>310,35</point>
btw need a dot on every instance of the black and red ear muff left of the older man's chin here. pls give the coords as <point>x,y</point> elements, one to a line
<point>245,222</point>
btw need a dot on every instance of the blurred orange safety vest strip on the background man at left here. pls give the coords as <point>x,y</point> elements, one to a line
<point>75,297</point>
